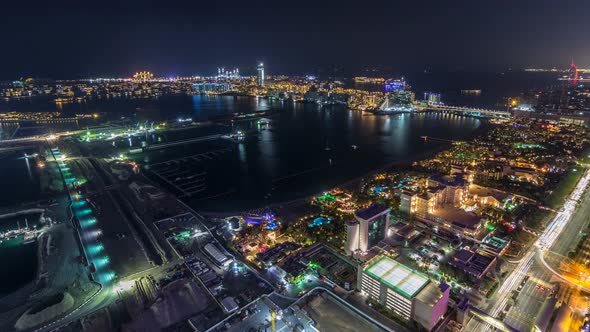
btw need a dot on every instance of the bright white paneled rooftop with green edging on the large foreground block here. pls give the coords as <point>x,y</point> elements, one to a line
<point>397,276</point>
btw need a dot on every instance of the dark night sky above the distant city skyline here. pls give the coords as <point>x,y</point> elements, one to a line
<point>75,38</point>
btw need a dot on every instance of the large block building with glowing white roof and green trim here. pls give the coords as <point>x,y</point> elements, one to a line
<point>408,294</point>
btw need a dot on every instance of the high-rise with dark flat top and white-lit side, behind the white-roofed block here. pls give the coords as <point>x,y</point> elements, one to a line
<point>373,222</point>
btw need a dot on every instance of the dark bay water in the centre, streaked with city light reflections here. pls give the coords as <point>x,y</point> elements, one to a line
<point>305,149</point>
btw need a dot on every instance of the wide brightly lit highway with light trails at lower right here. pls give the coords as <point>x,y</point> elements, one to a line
<point>559,236</point>
